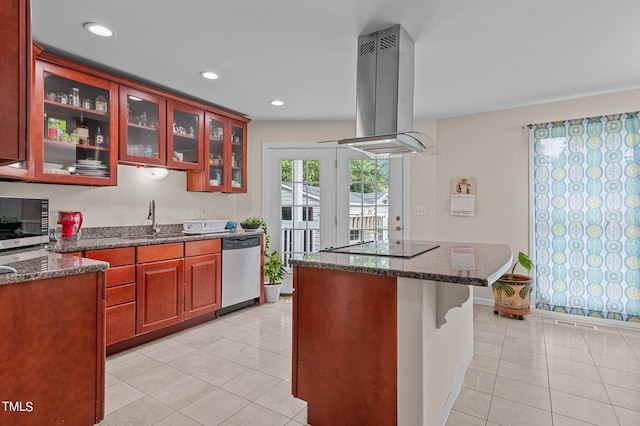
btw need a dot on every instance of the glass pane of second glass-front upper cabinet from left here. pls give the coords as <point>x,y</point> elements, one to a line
<point>143,137</point>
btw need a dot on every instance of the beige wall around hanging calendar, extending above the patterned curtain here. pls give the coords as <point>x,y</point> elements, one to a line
<point>493,148</point>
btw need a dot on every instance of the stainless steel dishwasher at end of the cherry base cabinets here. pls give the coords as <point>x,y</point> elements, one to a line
<point>240,272</point>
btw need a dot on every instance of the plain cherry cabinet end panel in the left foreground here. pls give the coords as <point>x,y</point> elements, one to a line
<point>52,352</point>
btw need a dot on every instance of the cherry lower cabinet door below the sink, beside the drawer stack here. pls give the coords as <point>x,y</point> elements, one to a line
<point>159,294</point>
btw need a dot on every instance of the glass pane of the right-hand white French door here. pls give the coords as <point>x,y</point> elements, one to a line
<point>368,200</point>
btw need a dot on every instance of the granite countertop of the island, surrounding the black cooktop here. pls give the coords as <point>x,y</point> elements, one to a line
<point>460,263</point>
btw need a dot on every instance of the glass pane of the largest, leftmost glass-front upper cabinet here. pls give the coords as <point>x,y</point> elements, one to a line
<point>76,128</point>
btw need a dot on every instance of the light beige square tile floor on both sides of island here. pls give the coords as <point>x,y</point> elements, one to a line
<point>236,370</point>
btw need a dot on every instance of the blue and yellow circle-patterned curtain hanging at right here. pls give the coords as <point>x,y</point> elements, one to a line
<point>587,216</point>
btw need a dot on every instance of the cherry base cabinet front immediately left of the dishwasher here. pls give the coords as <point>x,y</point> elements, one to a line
<point>203,274</point>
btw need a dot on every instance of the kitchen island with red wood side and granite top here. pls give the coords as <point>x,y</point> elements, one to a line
<point>383,340</point>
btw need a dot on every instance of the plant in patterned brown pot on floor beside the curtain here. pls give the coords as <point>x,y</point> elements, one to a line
<point>512,292</point>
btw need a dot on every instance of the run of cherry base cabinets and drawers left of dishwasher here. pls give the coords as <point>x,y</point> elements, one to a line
<point>157,287</point>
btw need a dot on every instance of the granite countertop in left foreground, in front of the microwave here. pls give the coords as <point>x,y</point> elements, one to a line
<point>40,264</point>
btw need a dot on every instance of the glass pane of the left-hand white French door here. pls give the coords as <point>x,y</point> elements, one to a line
<point>300,207</point>
